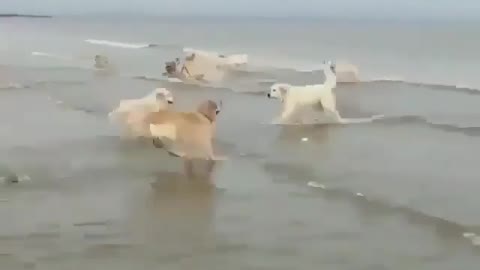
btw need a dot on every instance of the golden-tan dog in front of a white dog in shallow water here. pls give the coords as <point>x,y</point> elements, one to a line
<point>191,133</point>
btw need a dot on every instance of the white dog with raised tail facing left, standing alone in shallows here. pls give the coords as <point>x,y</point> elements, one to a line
<point>319,96</point>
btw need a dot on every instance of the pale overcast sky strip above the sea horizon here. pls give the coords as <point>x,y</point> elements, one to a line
<point>436,8</point>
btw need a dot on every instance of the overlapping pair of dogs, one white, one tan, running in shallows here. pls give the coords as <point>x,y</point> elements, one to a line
<point>185,134</point>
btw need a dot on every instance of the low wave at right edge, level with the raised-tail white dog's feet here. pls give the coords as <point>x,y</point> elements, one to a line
<point>419,120</point>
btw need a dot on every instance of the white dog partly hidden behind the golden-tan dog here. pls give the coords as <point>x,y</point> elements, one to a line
<point>131,112</point>
